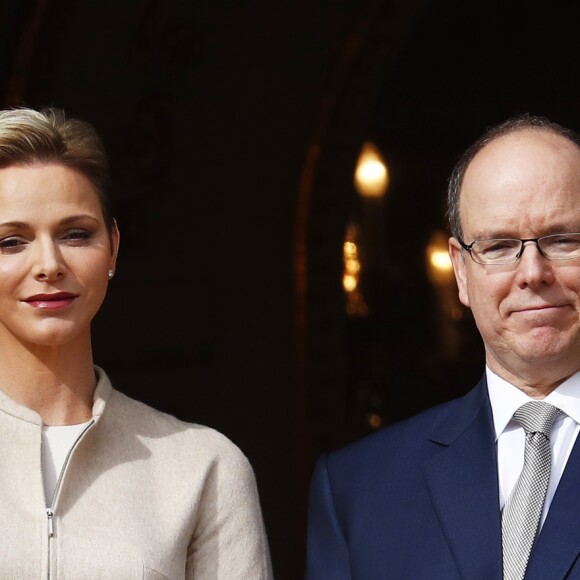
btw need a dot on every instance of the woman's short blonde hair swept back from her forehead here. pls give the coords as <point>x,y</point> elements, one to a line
<point>28,136</point>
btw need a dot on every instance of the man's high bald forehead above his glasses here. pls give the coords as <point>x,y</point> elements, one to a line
<point>529,176</point>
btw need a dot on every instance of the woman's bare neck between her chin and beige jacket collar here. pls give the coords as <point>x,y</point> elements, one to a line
<point>57,382</point>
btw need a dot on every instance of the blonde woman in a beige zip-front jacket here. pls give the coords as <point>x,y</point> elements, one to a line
<point>94,485</point>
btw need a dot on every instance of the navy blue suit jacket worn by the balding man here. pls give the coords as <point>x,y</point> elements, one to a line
<point>420,500</point>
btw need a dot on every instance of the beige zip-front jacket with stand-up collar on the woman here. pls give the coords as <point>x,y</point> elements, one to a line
<point>142,495</point>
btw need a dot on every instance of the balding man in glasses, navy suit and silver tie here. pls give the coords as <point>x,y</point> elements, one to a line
<point>469,489</point>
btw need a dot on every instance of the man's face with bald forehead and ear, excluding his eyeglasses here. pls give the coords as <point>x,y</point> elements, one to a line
<point>523,185</point>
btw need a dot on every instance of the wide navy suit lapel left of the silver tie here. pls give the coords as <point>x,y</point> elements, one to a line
<point>462,480</point>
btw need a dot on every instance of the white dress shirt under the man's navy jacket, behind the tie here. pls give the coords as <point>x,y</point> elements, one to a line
<point>510,438</point>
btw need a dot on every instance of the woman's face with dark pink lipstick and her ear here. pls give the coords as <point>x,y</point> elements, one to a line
<point>55,255</point>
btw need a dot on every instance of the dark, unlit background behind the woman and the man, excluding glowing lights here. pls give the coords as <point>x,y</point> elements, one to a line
<point>233,129</point>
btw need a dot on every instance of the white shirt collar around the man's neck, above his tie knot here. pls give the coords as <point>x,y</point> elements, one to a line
<point>506,399</point>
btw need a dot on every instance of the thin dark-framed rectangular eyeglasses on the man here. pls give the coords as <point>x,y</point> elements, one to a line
<point>508,251</point>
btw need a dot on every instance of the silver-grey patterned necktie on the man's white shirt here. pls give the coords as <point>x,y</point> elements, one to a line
<point>523,510</point>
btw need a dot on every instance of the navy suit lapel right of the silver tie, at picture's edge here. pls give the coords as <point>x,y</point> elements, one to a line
<point>558,544</point>
